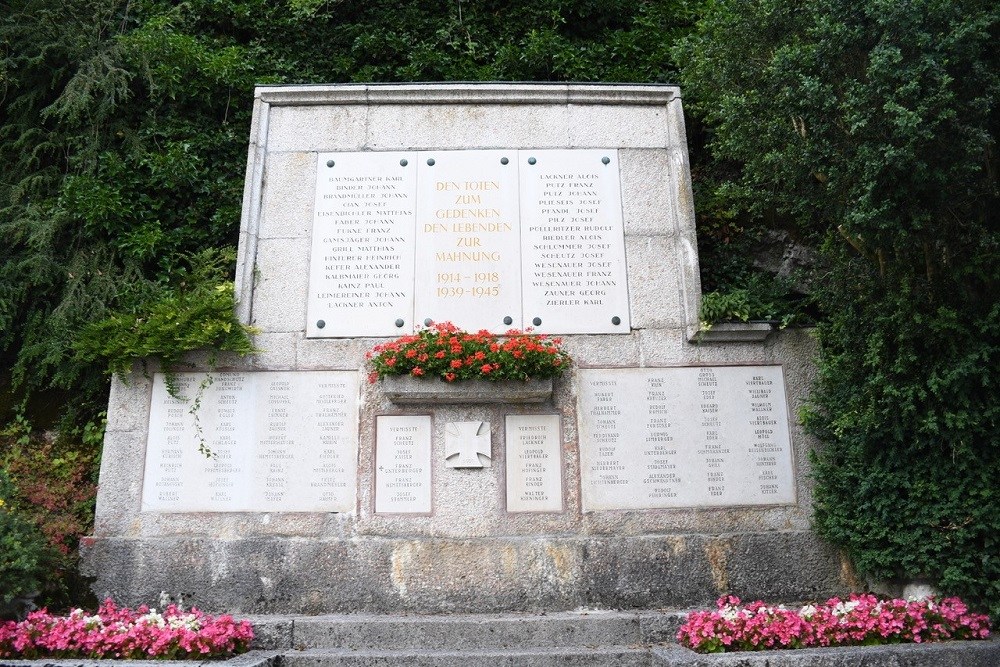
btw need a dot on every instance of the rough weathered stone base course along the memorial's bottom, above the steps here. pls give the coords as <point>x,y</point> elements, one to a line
<point>456,575</point>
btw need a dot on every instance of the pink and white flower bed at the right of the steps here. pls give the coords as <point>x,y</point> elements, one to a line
<point>861,620</point>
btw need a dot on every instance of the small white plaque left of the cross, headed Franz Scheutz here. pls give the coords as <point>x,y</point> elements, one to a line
<point>403,464</point>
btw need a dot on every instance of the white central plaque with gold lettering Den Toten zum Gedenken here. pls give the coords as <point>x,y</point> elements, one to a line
<point>468,239</point>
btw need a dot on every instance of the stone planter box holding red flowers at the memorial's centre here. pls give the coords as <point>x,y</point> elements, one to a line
<point>408,390</point>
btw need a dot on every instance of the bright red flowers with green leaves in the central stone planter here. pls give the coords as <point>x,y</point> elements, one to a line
<point>443,350</point>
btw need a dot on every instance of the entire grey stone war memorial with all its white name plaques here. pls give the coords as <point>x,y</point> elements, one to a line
<point>656,472</point>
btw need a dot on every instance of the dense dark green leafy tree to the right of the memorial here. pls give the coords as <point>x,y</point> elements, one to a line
<point>871,128</point>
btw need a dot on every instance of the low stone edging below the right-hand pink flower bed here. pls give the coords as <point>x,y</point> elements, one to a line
<point>953,654</point>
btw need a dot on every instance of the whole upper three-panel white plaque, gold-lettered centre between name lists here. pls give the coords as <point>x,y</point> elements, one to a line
<point>502,238</point>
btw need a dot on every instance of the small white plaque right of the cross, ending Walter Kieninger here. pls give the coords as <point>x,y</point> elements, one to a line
<point>534,470</point>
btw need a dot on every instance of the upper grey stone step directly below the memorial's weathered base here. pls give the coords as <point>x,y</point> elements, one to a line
<point>458,632</point>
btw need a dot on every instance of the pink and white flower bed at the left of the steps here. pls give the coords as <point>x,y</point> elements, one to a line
<point>124,633</point>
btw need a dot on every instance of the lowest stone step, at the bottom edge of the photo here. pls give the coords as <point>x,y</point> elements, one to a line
<point>604,656</point>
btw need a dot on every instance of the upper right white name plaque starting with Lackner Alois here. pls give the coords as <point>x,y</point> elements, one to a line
<point>573,242</point>
